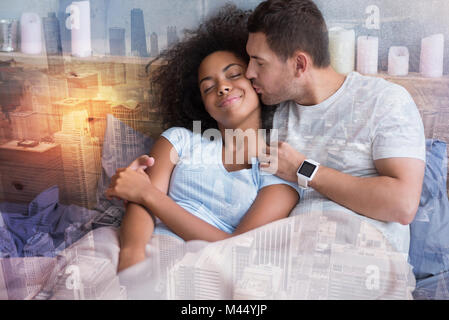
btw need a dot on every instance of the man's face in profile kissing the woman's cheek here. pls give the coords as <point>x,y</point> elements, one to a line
<point>272,78</point>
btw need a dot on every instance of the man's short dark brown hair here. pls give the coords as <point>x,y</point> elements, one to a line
<point>291,25</point>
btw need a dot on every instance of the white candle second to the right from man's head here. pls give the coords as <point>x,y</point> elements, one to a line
<point>367,54</point>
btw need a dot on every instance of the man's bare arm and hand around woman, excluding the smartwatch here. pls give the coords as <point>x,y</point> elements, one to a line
<point>392,196</point>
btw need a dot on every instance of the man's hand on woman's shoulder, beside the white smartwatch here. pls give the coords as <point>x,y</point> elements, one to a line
<point>281,160</point>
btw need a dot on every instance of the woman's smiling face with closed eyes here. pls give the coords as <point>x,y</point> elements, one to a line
<point>227,94</point>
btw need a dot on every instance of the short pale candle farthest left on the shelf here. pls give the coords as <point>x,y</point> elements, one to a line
<point>31,33</point>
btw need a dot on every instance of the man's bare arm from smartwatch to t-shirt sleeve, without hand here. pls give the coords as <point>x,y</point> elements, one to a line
<point>392,196</point>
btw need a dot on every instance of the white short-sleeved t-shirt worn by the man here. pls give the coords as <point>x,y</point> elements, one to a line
<point>366,119</point>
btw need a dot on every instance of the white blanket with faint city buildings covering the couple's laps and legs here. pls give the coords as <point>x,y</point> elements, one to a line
<point>314,256</point>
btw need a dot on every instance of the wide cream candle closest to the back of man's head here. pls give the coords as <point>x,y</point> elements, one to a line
<point>342,49</point>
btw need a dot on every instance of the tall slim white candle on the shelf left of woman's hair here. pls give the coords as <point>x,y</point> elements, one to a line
<point>81,41</point>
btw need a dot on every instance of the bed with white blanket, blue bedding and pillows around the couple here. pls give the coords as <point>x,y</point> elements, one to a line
<point>54,251</point>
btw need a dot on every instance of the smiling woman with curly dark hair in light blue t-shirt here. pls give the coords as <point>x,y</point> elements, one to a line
<point>218,196</point>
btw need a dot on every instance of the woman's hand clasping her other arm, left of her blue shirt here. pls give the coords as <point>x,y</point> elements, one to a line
<point>130,185</point>
